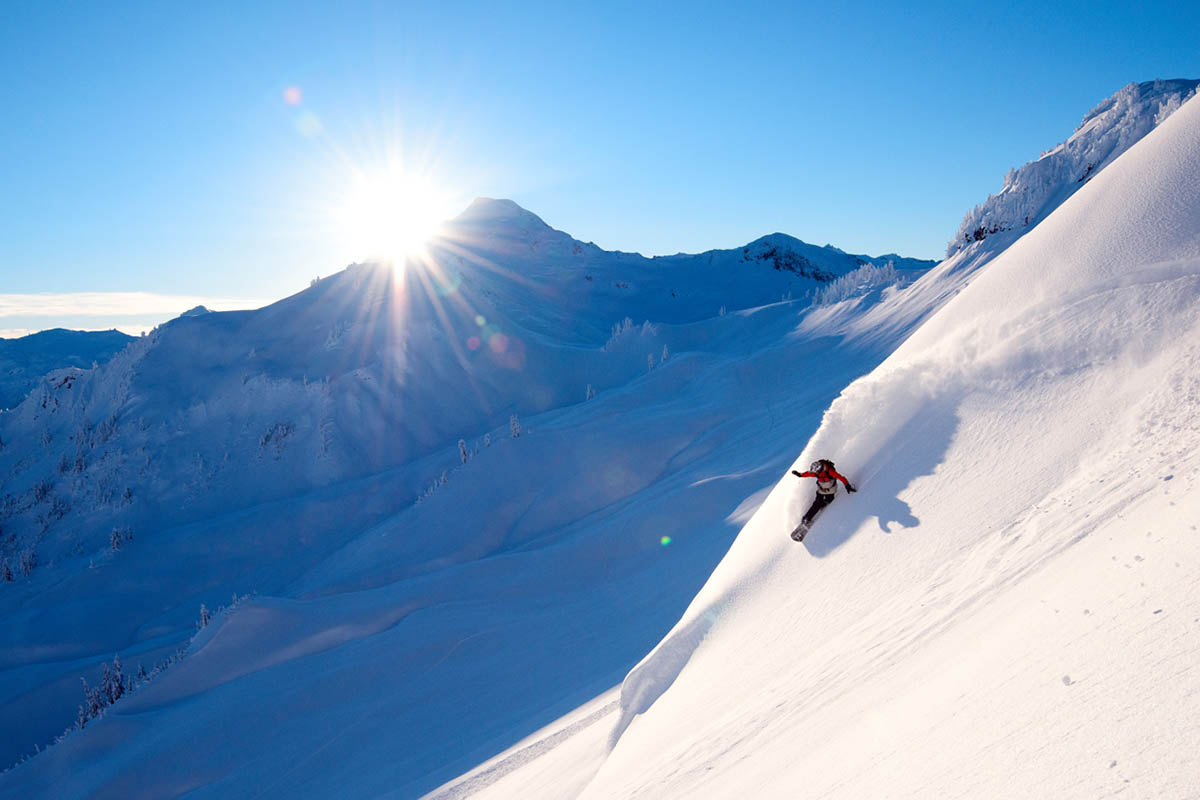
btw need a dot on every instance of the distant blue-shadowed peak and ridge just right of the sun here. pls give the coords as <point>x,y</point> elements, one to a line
<point>575,291</point>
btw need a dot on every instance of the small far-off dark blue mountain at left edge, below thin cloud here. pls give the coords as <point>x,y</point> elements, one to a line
<point>25,360</point>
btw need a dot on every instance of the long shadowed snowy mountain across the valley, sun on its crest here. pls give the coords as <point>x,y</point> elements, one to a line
<point>364,372</point>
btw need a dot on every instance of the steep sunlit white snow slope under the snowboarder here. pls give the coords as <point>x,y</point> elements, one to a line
<point>1010,606</point>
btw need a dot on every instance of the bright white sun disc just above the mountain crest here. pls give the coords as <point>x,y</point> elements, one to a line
<point>391,216</point>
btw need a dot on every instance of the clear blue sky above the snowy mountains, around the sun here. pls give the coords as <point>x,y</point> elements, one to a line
<point>149,147</point>
